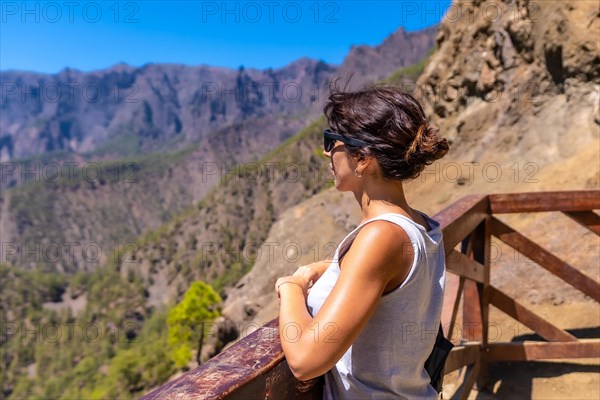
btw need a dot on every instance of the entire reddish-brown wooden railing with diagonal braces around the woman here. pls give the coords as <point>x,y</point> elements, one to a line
<point>255,367</point>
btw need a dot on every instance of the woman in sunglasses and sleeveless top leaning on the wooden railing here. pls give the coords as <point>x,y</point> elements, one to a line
<point>370,319</point>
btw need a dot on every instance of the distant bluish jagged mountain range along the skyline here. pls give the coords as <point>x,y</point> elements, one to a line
<point>124,110</point>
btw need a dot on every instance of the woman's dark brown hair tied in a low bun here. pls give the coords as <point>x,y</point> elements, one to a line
<point>394,125</point>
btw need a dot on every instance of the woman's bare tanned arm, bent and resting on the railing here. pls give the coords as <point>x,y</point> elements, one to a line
<point>312,346</point>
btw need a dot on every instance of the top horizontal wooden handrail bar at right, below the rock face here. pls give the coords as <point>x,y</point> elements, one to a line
<point>577,200</point>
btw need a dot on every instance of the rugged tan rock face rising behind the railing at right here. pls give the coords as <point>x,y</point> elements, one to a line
<point>517,91</point>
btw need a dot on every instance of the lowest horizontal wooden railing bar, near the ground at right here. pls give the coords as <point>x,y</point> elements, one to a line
<point>525,351</point>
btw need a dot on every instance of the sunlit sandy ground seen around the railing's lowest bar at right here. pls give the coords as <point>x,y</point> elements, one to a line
<point>548,379</point>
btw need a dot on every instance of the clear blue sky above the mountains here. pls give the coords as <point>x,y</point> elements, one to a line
<point>47,36</point>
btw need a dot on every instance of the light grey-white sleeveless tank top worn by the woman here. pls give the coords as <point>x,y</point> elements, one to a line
<point>387,359</point>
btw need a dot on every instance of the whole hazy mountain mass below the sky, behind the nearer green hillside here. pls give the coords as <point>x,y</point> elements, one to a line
<point>183,130</point>
